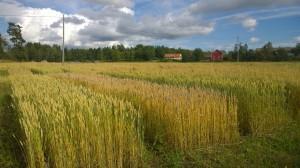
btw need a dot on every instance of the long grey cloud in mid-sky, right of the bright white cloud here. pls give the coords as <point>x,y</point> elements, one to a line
<point>126,29</point>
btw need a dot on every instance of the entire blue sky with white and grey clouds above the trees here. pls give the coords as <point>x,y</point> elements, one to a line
<point>206,24</point>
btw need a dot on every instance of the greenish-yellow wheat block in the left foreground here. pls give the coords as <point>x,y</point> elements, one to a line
<point>70,126</point>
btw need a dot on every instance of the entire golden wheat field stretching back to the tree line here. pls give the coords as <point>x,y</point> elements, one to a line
<point>114,114</point>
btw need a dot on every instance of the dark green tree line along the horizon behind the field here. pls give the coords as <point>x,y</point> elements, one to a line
<point>16,48</point>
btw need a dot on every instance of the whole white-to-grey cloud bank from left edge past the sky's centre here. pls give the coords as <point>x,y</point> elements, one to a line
<point>107,26</point>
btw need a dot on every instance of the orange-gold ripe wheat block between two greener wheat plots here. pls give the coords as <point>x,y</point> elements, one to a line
<point>179,117</point>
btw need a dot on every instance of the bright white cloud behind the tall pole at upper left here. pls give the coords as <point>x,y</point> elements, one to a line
<point>46,28</point>
